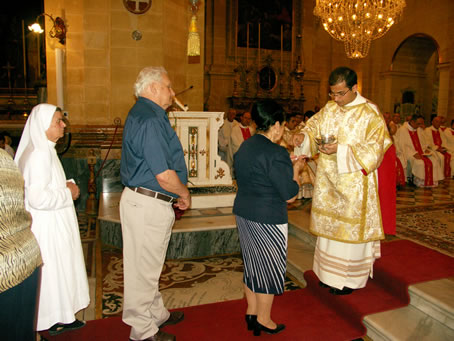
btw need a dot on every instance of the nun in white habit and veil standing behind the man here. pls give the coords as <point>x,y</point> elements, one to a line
<point>49,198</point>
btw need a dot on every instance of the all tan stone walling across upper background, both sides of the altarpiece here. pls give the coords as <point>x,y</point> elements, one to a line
<point>102,60</point>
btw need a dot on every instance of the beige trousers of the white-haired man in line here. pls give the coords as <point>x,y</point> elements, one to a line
<point>146,225</point>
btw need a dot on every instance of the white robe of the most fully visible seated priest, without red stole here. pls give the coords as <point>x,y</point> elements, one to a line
<point>404,145</point>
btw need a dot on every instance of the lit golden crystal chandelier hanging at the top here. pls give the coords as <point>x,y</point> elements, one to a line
<point>358,22</point>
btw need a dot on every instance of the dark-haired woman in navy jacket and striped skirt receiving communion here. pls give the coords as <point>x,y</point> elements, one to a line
<point>267,181</point>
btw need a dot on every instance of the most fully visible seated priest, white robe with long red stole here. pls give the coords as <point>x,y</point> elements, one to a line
<point>422,164</point>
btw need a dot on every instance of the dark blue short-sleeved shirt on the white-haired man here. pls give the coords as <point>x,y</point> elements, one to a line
<point>150,146</point>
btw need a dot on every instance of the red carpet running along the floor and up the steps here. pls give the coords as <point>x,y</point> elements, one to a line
<point>309,314</point>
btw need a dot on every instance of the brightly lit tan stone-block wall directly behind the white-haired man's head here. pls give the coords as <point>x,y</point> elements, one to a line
<point>102,59</point>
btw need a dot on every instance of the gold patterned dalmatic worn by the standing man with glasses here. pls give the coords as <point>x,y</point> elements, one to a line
<point>345,205</point>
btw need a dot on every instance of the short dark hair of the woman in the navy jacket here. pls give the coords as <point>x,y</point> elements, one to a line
<point>266,113</point>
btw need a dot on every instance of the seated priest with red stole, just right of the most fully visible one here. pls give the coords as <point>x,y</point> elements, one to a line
<point>438,143</point>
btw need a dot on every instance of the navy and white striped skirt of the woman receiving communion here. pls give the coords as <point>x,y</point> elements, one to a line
<point>264,250</point>
